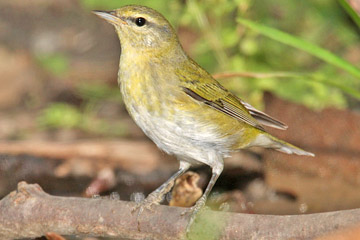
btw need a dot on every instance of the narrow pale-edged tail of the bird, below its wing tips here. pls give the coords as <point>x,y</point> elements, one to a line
<point>270,141</point>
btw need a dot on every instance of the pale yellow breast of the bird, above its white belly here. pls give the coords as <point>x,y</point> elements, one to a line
<point>148,84</point>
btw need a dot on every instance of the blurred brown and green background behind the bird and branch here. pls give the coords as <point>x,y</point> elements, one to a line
<point>63,124</point>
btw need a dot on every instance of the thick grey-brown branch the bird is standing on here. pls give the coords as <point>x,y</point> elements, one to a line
<point>30,212</point>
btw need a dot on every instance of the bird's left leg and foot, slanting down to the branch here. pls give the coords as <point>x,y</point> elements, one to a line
<point>156,196</point>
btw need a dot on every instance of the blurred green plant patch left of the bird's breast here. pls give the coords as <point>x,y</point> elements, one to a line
<point>63,115</point>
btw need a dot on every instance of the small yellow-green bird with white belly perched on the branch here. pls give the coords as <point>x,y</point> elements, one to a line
<point>179,105</point>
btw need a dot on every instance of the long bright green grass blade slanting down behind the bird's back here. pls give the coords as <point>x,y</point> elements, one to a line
<point>298,43</point>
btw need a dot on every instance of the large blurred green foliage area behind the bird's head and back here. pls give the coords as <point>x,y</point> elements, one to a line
<point>223,44</point>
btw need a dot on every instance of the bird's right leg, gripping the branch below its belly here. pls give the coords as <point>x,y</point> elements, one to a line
<point>216,171</point>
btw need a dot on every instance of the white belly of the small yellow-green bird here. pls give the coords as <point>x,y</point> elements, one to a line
<point>189,140</point>
